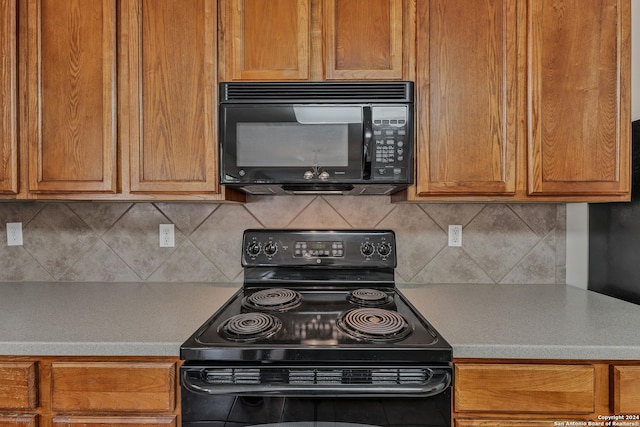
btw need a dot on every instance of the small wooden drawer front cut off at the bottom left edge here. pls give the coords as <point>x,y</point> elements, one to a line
<point>18,389</point>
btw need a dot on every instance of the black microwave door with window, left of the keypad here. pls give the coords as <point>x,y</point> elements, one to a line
<point>289,144</point>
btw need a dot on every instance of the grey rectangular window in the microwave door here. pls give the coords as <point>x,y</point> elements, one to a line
<point>291,144</point>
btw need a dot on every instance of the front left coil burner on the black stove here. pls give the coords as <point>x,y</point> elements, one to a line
<point>249,327</point>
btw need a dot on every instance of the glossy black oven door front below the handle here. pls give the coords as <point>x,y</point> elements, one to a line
<point>263,411</point>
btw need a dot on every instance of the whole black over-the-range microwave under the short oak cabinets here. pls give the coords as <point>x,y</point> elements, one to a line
<point>316,137</point>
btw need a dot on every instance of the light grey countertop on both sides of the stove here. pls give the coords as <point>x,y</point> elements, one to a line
<point>153,319</point>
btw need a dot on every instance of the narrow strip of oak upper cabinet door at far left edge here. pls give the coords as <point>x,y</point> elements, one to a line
<point>8,94</point>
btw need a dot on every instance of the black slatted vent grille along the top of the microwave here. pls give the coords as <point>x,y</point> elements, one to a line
<point>401,91</point>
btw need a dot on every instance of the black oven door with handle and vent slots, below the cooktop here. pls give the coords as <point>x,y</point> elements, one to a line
<point>334,397</point>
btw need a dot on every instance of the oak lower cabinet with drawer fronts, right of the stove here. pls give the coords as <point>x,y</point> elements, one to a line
<point>543,393</point>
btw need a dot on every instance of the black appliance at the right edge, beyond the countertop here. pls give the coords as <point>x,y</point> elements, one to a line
<point>614,239</point>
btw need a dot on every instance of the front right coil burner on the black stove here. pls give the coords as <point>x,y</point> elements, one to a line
<point>374,324</point>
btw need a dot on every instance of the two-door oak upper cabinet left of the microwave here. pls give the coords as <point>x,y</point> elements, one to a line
<point>120,99</point>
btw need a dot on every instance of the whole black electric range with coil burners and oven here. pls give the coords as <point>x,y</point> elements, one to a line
<point>318,335</point>
